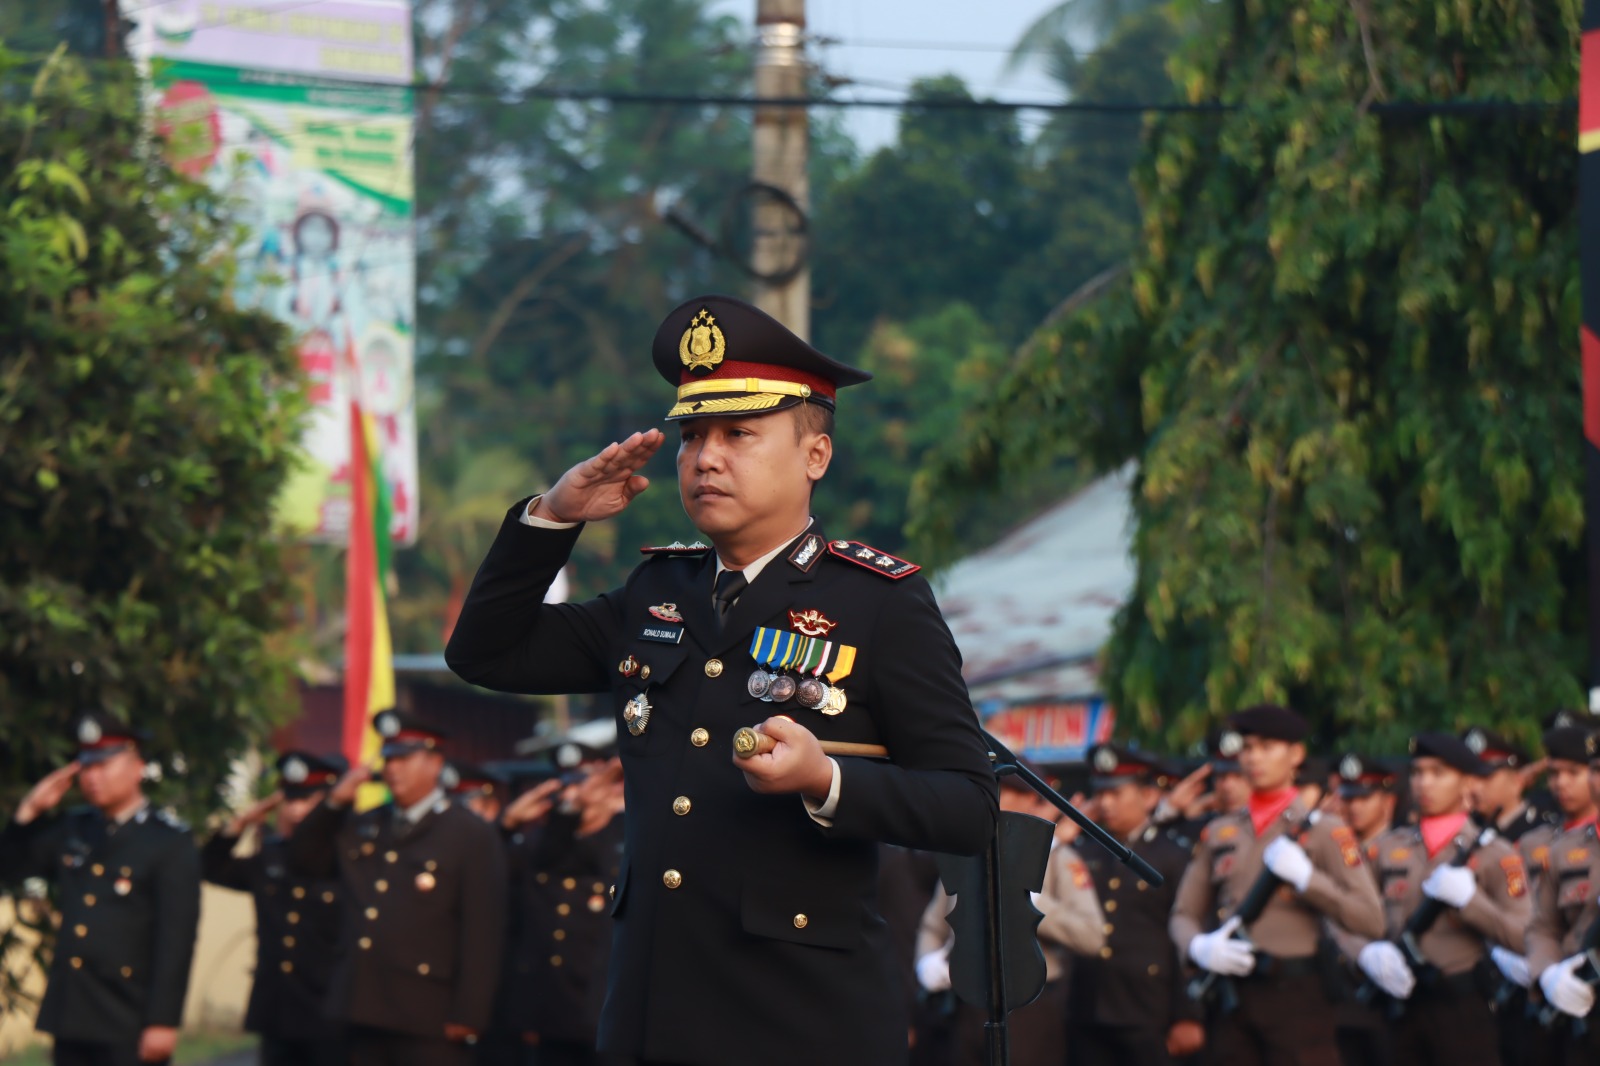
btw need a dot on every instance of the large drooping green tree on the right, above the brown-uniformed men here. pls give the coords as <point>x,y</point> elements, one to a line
<point>1345,359</point>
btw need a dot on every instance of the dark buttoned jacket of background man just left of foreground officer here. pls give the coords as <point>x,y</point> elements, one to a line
<point>562,886</point>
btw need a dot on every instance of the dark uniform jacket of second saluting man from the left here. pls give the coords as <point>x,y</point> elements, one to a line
<point>297,934</point>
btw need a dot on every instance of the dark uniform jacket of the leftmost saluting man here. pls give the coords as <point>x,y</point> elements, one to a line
<point>130,907</point>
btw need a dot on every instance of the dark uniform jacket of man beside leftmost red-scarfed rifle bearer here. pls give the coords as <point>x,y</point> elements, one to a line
<point>1137,979</point>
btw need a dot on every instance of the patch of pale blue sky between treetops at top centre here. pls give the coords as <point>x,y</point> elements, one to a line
<point>889,44</point>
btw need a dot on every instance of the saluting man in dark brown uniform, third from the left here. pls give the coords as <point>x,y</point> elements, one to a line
<point>425,907</point>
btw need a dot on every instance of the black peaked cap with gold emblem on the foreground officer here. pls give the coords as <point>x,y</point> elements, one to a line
<point>729,358</point>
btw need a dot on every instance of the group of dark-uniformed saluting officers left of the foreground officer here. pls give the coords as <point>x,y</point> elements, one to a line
<point>442,926</point>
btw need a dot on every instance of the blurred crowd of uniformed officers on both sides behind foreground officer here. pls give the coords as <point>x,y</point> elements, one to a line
<point>1431,908</point>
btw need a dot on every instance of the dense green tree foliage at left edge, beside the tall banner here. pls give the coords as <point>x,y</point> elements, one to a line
<point>146,425</point>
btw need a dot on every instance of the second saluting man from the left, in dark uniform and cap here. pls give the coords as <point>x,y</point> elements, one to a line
<point>297,918</point>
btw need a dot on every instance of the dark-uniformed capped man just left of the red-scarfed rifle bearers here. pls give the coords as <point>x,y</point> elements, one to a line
<point>1129,1003</point>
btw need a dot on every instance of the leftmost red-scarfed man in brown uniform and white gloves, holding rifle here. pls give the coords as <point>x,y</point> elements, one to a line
<point>1284,1012</point>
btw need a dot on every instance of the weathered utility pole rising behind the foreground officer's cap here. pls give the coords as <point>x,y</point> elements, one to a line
<point>780,156</point>
